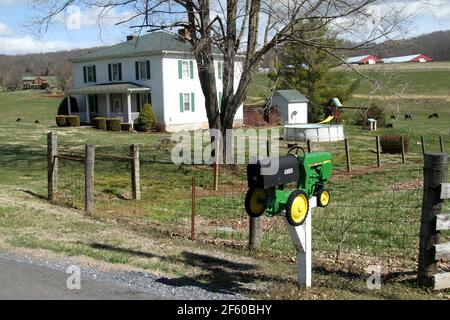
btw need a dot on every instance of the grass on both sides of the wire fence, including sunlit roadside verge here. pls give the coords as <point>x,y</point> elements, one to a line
<point>166,189</point>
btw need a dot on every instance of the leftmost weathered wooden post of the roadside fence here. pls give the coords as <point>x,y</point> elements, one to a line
<point>52,166</point>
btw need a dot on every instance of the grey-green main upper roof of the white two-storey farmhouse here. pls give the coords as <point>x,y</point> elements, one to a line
<point>155,42</point>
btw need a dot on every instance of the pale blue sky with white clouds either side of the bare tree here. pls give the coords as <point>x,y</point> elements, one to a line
<point>17,37</point>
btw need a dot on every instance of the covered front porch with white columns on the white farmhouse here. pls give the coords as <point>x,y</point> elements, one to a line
<point>120,100</point>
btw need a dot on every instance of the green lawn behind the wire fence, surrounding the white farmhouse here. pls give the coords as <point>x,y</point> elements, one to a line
<point>367,216</point>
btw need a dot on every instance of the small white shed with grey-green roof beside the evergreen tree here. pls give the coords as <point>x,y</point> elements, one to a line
<point>293,106</point>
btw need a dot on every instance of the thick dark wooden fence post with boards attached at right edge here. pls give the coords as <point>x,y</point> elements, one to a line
<point>435,173</point>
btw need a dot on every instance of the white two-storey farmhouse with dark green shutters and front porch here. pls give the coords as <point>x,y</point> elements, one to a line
<point>158,68</point>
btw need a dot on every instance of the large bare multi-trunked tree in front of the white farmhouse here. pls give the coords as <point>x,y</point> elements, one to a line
<point>243,31</point>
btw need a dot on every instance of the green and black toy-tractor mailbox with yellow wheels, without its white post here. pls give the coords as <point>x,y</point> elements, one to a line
<point>268,192</point>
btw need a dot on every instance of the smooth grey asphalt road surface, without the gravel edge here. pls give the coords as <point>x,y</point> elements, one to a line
<point>21,280</point>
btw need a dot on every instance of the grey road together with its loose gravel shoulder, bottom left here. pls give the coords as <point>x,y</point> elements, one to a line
<point>27,277</point>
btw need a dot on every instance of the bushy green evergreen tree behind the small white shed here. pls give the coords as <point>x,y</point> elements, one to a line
<point>308,69</point>
